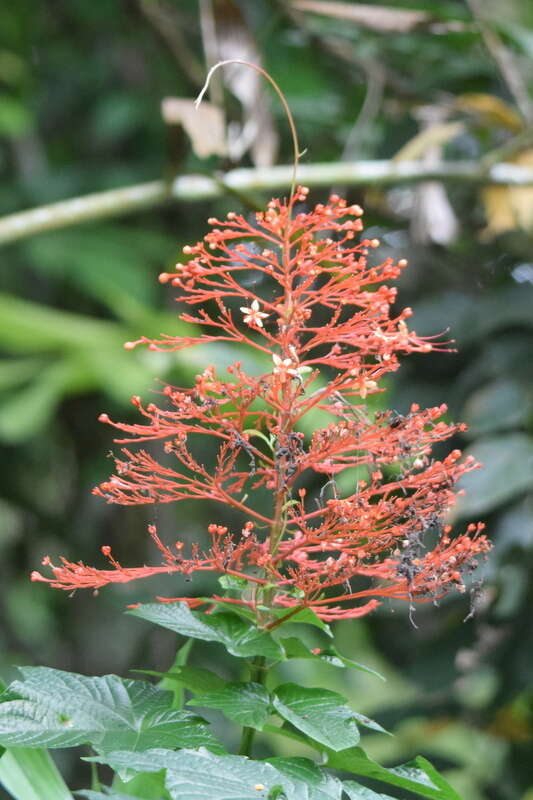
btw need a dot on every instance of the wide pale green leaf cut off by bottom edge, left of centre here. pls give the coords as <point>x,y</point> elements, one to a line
<point>195,775</point>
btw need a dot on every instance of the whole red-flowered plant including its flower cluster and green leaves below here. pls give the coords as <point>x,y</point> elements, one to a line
<point>297,286</point>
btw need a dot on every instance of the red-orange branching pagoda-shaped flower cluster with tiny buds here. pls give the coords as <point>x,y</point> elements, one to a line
<point>296,287</point>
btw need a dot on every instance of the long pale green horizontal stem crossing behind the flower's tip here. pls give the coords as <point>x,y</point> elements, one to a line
<point>188,188</point>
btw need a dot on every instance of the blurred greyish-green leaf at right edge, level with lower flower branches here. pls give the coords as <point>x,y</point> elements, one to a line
<point>507,472</point>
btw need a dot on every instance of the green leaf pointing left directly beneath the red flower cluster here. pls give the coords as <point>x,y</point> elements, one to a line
<point>239,637</point>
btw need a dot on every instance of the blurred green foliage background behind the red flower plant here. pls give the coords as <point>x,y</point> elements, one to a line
<point>81,85</point>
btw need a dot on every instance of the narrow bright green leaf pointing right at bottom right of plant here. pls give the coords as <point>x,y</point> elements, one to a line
<point>417,776</point>
